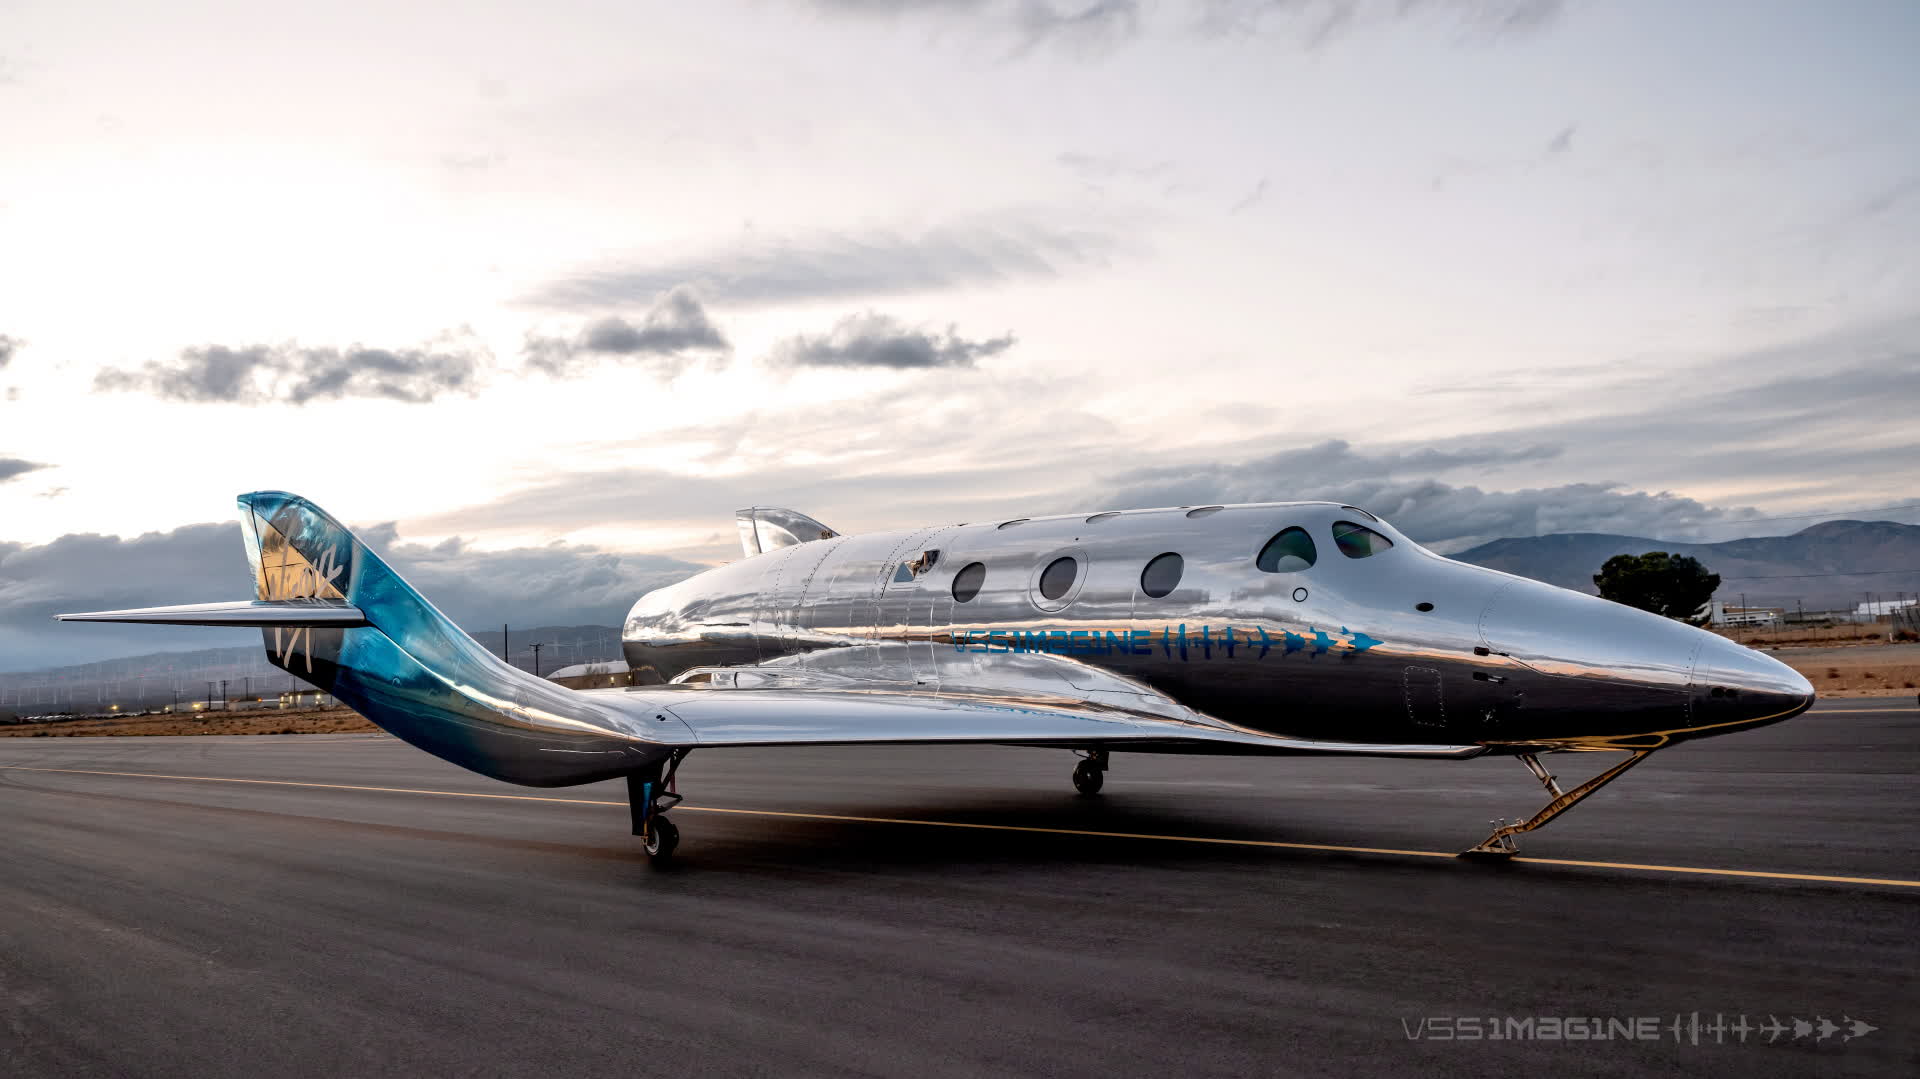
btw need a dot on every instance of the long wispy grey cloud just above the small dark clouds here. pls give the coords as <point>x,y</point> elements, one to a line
<point>840,264</point>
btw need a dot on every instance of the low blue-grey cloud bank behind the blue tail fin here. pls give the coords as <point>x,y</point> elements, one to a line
<point>560,585</point>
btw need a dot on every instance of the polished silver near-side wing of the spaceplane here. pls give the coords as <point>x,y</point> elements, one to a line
<point>882,717</point>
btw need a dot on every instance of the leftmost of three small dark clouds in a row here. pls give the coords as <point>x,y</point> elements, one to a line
<point>299,375</point>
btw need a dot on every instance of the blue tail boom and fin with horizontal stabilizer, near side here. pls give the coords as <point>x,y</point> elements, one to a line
<point>337,617</point>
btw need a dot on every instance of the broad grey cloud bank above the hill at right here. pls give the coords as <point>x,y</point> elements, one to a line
<point>1812,423</point>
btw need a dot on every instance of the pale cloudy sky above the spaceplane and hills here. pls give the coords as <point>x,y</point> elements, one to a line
<point>540,297</point>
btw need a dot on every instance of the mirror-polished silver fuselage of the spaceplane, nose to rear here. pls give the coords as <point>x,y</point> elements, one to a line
<point>1395,646</point>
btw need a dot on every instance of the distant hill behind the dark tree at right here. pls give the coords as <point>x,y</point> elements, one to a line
<point>1769,569</point>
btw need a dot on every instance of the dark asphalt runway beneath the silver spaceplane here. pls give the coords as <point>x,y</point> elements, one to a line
<point>335,905</point>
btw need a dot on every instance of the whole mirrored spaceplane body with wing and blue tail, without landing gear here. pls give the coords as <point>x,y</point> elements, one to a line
<point>1287,629</point>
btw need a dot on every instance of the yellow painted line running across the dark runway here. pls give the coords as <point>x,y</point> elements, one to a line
<point>1084,832</point>
